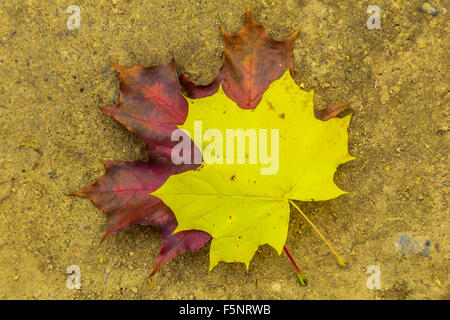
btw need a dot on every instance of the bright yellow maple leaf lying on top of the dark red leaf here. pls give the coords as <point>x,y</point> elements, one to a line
<point>237,205</point>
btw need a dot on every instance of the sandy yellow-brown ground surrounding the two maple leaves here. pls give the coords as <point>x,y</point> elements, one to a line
<point>53,81</point>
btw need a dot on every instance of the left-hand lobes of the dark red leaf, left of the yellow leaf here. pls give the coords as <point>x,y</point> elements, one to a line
<point>151,105</point>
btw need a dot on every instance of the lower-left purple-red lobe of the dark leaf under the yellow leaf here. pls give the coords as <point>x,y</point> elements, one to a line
<point>124,193</point>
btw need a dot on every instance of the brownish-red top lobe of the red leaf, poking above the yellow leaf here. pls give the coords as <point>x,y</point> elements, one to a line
<point>252,60</point>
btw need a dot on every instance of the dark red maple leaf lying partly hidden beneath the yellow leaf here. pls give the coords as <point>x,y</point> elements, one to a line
<point>151,106</point>
